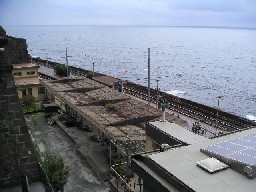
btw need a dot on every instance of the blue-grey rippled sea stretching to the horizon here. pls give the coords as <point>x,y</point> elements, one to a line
<point>195,63</point>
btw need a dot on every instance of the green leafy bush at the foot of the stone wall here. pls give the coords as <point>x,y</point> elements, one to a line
<point>56,170</point>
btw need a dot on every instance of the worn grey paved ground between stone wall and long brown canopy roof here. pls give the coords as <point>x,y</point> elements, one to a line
<point>52,139</point>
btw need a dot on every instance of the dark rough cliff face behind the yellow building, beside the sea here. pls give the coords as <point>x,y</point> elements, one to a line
<point>16,48</point>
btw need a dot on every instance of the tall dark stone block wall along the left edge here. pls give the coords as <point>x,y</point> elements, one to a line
<point>17,157</point>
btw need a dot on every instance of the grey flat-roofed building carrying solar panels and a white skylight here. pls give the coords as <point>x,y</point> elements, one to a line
<point>191,163</point>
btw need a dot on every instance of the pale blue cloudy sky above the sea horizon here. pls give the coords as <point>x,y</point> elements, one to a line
<point>222,13</point>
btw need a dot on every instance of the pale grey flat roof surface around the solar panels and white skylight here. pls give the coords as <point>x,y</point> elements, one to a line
<point>181,162</point>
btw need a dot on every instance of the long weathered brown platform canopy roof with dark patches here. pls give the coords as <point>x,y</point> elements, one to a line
<point>90,98</point>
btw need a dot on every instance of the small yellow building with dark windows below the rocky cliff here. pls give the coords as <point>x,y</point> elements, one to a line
<point>27,80</point>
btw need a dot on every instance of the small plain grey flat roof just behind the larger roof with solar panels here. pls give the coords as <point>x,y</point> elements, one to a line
<point>176,131</point>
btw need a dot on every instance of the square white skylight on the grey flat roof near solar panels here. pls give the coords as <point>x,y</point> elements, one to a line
<point>211,165</point>
